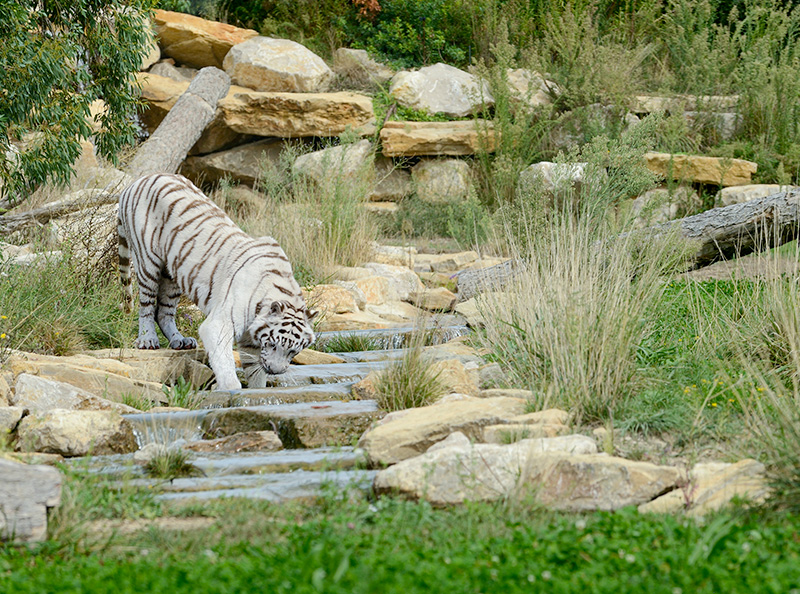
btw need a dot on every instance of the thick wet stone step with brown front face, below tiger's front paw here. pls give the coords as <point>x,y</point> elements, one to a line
<point>303,425</point>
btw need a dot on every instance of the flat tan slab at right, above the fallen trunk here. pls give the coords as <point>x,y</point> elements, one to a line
<point>704,170</point>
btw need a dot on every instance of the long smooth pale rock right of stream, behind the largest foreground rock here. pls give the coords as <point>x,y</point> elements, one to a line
<point>408,433</point>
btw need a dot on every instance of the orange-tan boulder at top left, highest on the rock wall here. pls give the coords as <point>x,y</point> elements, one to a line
<point>197,42</point>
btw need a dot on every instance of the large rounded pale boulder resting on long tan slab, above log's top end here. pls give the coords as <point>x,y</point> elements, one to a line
<point>280,65</point>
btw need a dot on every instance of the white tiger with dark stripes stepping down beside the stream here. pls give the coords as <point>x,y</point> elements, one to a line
<point>182,243</point>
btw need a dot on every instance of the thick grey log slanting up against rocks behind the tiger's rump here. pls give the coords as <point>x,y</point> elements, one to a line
<point>183,125</point>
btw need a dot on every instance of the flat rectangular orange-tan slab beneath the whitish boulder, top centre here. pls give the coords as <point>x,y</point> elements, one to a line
<point>406,139</point>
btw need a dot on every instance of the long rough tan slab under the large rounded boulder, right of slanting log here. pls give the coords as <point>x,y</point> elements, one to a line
<point>296,115</point>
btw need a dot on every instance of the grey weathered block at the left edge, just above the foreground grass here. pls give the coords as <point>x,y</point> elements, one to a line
<point>26,491</point>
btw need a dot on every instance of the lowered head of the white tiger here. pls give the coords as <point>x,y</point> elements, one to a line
<point>281,331</point>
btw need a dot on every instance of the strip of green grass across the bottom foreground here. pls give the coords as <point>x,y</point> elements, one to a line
<point>397,546</point>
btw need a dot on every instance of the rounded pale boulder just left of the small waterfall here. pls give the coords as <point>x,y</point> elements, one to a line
<point>76,433</point>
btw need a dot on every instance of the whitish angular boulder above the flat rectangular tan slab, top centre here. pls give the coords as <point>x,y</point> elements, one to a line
<point>441,89</point>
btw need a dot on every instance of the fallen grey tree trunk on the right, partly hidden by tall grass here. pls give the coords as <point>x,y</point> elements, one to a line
<point>716,234</point>
